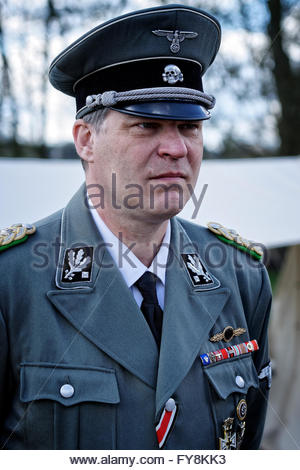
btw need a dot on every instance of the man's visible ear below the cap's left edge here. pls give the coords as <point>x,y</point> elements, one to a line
<point>83,140</point>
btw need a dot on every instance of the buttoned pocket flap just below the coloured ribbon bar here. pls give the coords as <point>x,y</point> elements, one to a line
<point>237,375</point>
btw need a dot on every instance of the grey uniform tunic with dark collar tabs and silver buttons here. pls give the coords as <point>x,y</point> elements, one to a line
<point>79,367</point>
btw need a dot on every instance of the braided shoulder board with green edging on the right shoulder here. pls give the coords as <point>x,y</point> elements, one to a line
<point>232,237</point>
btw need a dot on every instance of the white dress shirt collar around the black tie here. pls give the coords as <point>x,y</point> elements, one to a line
<point>129,265</point>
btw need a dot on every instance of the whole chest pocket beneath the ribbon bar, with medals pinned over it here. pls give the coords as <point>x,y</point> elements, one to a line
<point>229,383</point>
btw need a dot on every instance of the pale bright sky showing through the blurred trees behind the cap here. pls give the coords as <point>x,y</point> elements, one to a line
<point>229,113</point>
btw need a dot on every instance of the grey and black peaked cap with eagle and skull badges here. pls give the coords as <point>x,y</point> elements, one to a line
<point>142,50</point>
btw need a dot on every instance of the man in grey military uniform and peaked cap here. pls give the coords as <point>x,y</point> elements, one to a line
<point>122,326</point>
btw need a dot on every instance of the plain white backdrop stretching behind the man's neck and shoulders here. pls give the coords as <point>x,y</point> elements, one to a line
<point>259,197</point>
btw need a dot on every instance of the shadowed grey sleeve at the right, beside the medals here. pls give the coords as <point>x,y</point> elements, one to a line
<point>257,399</point>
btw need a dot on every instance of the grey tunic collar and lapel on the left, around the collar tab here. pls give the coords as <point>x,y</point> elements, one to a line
<point>102,309</point>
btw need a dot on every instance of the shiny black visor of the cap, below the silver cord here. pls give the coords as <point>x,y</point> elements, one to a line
<point>166,110</point>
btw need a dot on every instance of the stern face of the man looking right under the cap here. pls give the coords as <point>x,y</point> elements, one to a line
<point>154,163</point>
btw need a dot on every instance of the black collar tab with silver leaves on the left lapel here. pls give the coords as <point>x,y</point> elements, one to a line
<point>77,264</point>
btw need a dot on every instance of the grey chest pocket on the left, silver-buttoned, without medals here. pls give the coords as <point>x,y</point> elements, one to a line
<point>69,407</point>
